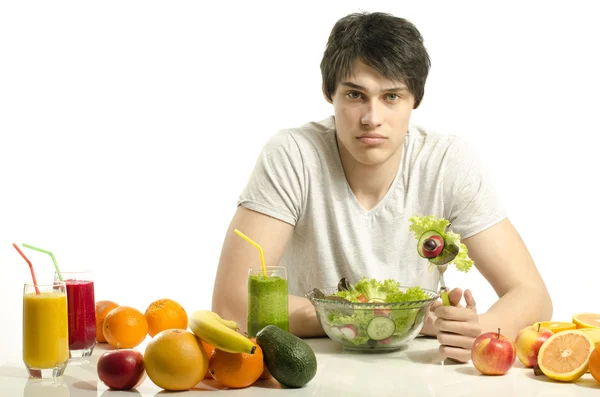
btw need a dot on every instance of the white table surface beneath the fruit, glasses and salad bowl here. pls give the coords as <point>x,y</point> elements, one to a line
<point>414,371</point>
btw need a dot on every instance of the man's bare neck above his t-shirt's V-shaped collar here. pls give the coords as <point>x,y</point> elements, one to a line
<point>370,183</point>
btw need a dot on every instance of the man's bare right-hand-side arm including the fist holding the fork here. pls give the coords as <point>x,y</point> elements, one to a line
<point>503,259</point>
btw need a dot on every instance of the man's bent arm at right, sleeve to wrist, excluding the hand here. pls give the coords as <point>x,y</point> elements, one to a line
<point>503,259</point>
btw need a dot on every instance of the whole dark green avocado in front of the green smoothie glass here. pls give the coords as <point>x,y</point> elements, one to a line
<point>289,359</point>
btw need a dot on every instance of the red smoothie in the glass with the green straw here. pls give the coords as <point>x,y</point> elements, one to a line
<point>82,314</point>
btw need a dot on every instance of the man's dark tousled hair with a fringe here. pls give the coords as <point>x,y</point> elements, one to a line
<point>393,46</point>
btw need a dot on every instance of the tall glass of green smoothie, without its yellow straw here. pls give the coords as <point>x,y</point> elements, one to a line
<point>267,299</point>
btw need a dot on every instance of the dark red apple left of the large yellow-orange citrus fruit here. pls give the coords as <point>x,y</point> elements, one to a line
<point>121,369</point>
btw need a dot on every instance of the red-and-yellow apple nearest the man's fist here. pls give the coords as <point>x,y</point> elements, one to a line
<point>493,353</point>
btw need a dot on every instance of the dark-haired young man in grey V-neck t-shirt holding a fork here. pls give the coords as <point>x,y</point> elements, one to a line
<point>332,199</point>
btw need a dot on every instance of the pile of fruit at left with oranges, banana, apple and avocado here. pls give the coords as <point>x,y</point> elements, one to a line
<point>178,359</point>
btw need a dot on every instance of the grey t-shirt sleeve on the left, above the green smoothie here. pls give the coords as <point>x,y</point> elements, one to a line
<point>276,184</point>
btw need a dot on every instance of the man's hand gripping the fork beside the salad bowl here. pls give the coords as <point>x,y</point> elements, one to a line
<point>457,326</point>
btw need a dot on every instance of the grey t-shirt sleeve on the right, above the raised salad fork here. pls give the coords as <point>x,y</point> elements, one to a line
<point>470,200</point>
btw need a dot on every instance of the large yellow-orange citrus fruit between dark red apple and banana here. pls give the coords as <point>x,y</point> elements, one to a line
<point>175,360</point>
